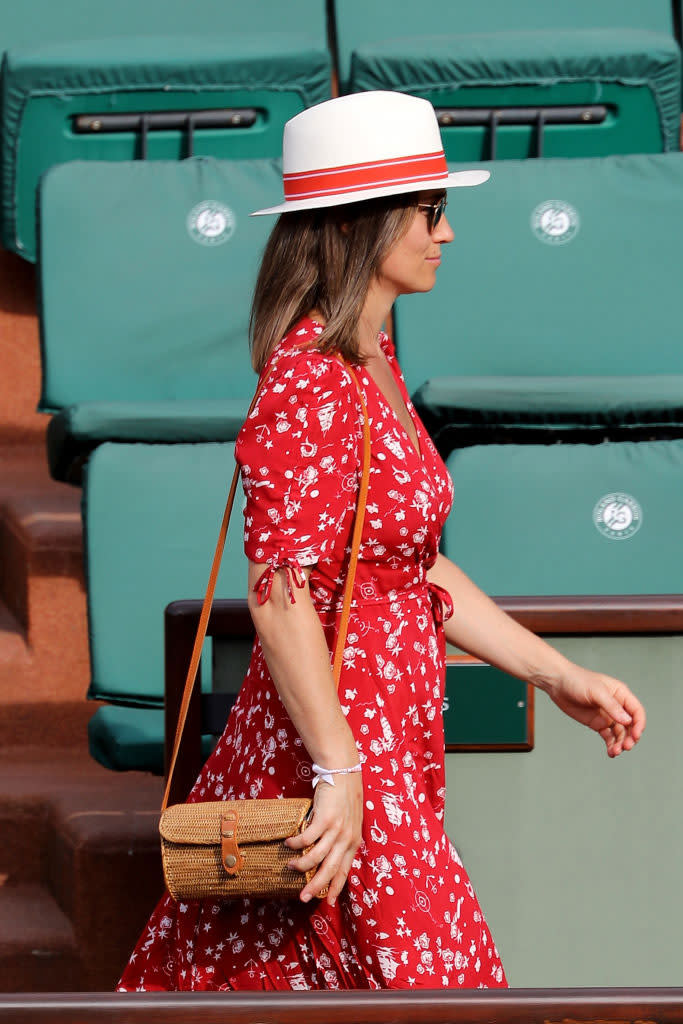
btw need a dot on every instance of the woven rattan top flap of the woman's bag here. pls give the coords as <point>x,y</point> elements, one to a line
<point>259,821</point>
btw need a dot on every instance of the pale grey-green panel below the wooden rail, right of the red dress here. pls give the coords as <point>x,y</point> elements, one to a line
<point>576,859</point>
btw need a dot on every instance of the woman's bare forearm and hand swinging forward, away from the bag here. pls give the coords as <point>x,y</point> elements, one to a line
<point>480,627</point>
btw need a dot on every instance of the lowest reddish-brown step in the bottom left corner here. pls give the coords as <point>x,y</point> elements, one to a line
<point>38,951</point>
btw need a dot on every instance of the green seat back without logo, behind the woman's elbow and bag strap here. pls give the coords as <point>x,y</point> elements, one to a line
<point>152,516</point>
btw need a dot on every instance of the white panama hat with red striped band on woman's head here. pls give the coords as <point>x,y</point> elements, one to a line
<point>362,147</point>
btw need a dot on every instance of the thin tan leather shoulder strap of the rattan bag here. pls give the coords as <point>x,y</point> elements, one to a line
<point>219,554</point>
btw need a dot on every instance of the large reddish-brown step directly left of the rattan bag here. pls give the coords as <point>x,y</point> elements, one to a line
<point>91,838</point>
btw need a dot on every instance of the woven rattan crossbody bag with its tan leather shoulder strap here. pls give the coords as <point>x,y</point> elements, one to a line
<point>236,848</point>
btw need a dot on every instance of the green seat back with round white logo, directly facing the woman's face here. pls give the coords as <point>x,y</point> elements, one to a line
<point>560,269</point>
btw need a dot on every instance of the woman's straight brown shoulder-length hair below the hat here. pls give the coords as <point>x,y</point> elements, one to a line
<point>324,261</point>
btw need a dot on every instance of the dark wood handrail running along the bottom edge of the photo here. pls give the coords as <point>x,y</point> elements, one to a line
<point>531,1006</point>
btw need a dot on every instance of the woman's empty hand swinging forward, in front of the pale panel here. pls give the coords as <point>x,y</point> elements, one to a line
<point>604,704</point>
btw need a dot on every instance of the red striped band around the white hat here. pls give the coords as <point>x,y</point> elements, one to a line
<point>358,178</point>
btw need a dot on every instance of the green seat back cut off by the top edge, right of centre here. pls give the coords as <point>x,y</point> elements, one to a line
<point>360,24</point>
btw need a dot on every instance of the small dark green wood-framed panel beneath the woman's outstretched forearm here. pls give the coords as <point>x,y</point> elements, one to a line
<point>485,707</point>
